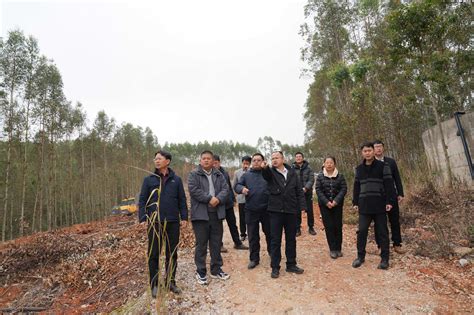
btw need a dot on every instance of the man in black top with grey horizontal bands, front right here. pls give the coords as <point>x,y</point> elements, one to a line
<point>373,196</point>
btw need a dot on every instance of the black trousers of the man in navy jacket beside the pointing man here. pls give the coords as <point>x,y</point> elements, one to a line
<point>254,219</point>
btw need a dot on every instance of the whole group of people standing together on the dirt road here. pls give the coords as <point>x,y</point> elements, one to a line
<point>271,196</point>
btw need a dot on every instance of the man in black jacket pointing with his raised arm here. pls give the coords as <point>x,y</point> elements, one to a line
<point>286,195</point>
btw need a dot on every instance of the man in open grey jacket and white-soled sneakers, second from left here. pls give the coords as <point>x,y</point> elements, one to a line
<point>208,191</point>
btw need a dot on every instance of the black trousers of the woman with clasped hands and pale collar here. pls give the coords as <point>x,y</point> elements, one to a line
<point>332,220</point>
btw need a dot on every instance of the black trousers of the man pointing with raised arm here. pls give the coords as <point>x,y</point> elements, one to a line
<point>278,222</point>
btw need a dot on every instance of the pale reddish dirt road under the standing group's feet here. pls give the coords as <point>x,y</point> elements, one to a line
<point>412,284</point>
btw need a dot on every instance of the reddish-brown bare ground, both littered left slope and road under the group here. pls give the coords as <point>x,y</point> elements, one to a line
<point>100,266</point>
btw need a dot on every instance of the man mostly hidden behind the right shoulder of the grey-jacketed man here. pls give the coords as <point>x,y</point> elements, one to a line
<point>229,209</point>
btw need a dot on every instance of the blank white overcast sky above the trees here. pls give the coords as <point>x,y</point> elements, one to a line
<point>190,70</point>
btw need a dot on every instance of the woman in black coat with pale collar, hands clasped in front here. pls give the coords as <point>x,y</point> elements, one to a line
<point>331,189</point>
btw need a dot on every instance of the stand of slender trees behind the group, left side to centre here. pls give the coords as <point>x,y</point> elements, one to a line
<point>56,168</point>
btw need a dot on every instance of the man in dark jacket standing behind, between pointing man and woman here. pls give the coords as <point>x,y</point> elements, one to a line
<point>306,176</point>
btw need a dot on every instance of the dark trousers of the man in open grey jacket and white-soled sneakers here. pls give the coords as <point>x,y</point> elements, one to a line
<point>208,233</point>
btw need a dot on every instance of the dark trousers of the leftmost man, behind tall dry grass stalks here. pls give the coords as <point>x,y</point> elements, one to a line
<point>158,235</point>
